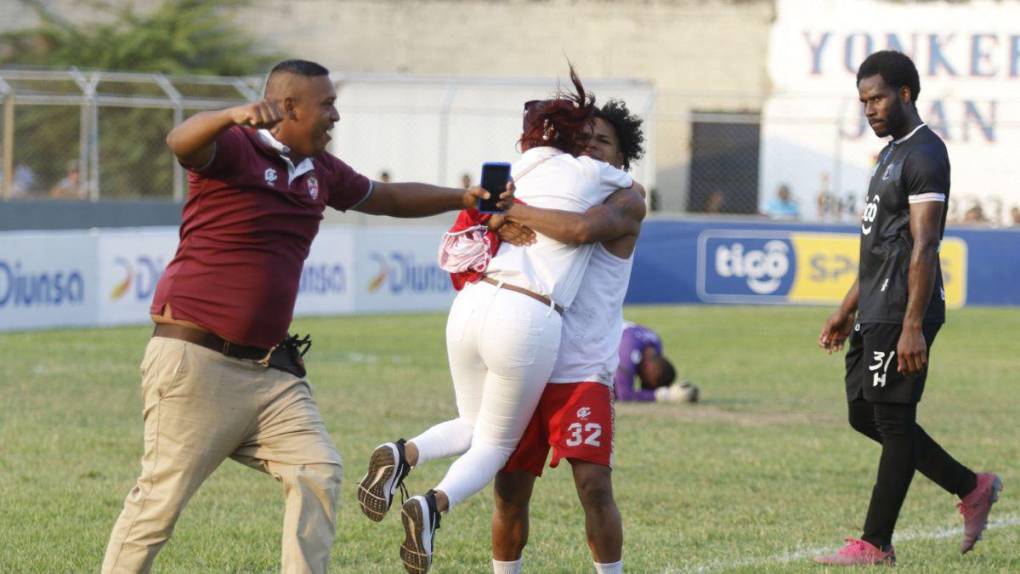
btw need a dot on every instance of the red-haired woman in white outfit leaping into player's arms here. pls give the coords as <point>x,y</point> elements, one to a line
<point>503,332</point>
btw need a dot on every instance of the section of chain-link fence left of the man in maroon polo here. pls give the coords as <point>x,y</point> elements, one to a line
<point>86,136</point>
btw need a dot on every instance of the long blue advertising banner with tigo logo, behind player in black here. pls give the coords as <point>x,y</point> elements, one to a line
<point>755,263</point>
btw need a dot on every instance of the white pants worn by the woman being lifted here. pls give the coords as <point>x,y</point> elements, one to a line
<point>502,348</point>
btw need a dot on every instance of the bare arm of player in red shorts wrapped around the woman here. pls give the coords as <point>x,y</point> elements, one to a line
<point>621,216</point>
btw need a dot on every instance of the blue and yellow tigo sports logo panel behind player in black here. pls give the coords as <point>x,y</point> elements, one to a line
<point>799,268</point>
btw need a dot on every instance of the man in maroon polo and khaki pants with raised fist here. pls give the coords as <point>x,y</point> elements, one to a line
<point>260,180</point>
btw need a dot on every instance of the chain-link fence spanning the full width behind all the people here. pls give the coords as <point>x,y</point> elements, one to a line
<point>87,136</point>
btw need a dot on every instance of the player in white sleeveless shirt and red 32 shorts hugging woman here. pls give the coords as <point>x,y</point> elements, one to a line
<point>575,418</point>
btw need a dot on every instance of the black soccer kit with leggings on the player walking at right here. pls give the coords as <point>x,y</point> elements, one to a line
<point>883,402</point>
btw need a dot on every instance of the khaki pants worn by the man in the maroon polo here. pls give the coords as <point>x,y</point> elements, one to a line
<point>200,408</point>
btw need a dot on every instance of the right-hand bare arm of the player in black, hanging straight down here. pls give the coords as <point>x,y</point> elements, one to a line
<point>926,220</point>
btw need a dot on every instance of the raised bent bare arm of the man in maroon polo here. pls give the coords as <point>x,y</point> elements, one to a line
<point>193,142</point>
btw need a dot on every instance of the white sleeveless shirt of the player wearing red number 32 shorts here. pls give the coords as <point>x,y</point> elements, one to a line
<point>594,325</point>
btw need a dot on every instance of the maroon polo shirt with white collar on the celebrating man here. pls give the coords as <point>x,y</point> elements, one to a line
<point>245,235</point>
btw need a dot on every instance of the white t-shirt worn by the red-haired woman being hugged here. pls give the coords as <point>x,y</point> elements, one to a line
<point>557,181</point>
